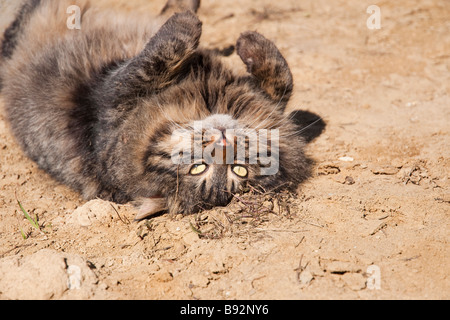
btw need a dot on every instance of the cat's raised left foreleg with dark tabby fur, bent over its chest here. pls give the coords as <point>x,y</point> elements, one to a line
<point>160,62</point>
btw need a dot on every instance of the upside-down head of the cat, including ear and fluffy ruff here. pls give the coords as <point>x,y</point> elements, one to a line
<point>206,149</point>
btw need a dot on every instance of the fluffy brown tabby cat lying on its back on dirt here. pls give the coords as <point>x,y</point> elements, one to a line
<point>98,108</point>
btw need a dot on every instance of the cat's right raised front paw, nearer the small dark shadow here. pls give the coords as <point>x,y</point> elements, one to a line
<point>265,62</point>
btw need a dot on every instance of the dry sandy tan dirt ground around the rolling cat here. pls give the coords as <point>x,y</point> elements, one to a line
<point>372,222</point>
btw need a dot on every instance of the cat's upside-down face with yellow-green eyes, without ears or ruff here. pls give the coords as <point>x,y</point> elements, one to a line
<point>217,155</point>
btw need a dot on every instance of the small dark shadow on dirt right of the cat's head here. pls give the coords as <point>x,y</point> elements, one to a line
<point>310,125</point>
